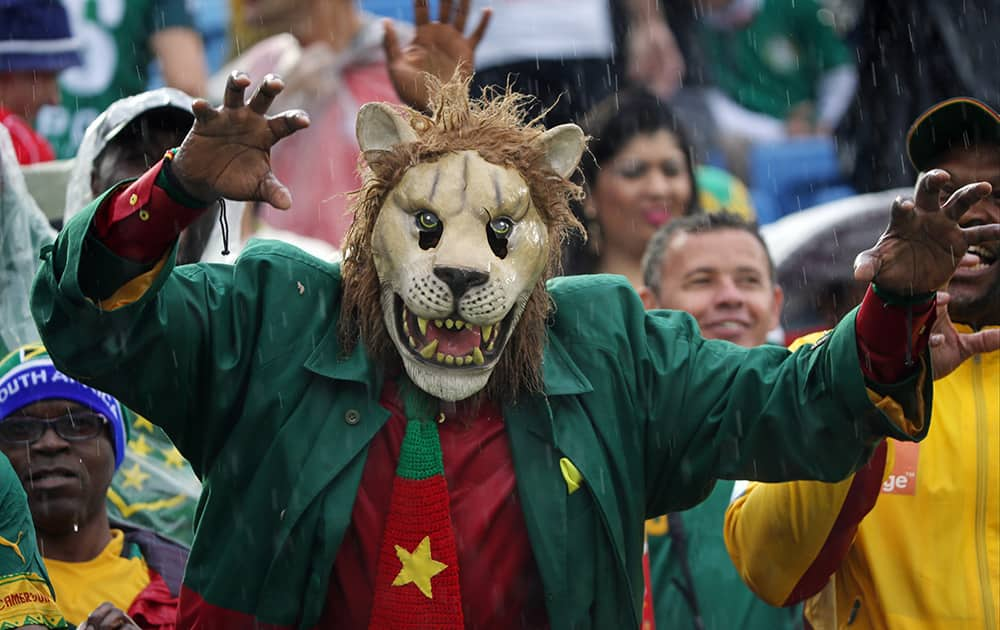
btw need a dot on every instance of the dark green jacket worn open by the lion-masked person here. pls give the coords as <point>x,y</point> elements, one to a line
<point>242,367</point>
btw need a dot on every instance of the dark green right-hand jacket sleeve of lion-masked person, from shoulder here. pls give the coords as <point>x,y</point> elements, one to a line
<point>699,410</point>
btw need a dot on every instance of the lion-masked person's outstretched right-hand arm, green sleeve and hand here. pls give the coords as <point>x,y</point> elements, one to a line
<point>769,415</point>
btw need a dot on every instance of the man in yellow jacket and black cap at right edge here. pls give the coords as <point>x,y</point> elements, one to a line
<point>913,539</point>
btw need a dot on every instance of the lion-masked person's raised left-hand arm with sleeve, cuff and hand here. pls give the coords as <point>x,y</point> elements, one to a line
<point>112,310</point>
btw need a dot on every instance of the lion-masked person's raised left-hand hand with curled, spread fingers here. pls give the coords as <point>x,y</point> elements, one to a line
<point>227,152</point>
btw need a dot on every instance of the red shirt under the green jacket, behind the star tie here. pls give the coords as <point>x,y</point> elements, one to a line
<point>500,583</point>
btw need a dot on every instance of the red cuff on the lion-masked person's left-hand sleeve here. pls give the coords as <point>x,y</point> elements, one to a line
<point>141,221</point>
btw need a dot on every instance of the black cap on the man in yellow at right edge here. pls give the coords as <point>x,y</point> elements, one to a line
<point>953,123</point>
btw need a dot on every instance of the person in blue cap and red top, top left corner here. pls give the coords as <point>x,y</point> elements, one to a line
<point>35,45</point>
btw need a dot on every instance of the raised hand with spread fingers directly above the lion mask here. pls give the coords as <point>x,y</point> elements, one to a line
<point>438,48</point>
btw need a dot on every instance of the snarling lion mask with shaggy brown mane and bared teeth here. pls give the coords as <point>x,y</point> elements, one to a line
<point>461,219</point>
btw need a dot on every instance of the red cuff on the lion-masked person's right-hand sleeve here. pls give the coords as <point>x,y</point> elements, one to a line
<point>881,336</point>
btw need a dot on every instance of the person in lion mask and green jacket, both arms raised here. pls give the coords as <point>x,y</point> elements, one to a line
<point>432,434</point>
